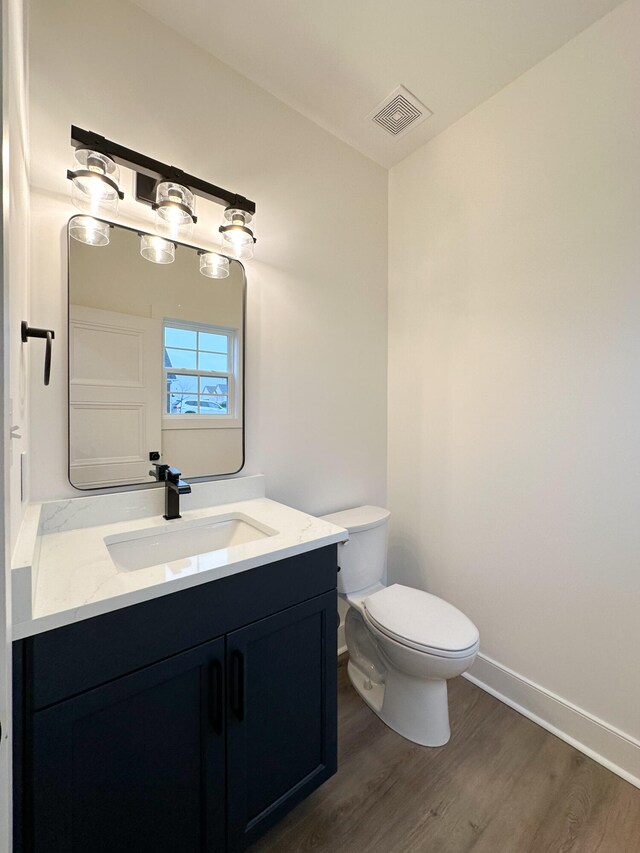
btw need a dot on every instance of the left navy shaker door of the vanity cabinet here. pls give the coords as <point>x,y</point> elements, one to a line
<point>135,765</point>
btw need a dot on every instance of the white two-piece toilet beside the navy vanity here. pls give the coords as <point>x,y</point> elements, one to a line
<point>403,643</point>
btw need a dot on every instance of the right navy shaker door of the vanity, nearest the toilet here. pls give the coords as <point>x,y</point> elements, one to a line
<point>282,714</point>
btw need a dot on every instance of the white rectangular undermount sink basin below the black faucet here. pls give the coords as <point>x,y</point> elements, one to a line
<point>192,546</point>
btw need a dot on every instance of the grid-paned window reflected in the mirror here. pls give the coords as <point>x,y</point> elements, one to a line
<point>199,364</point>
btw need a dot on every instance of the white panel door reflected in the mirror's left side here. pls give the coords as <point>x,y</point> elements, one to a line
<point>115,396</point>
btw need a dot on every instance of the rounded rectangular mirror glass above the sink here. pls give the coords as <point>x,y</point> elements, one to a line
<point>156,364</point>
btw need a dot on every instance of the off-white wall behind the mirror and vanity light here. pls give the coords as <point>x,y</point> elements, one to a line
<point>317,312</point>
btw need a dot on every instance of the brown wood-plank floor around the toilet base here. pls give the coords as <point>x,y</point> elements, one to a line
<point>501,785</point>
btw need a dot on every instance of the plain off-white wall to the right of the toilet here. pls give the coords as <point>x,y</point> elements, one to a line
<point>514,372</point>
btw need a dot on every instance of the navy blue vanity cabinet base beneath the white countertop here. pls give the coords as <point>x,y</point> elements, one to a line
<point>185,724</point>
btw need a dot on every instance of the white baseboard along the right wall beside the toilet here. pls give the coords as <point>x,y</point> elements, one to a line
<point>615,750</point>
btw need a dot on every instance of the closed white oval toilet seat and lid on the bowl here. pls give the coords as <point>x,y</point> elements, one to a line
<point>421,621</point>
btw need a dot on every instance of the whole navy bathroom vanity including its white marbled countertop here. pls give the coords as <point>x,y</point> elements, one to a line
<point>192,710</point>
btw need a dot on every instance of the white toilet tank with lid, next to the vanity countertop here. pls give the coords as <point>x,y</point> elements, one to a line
<point>363,559</point>
